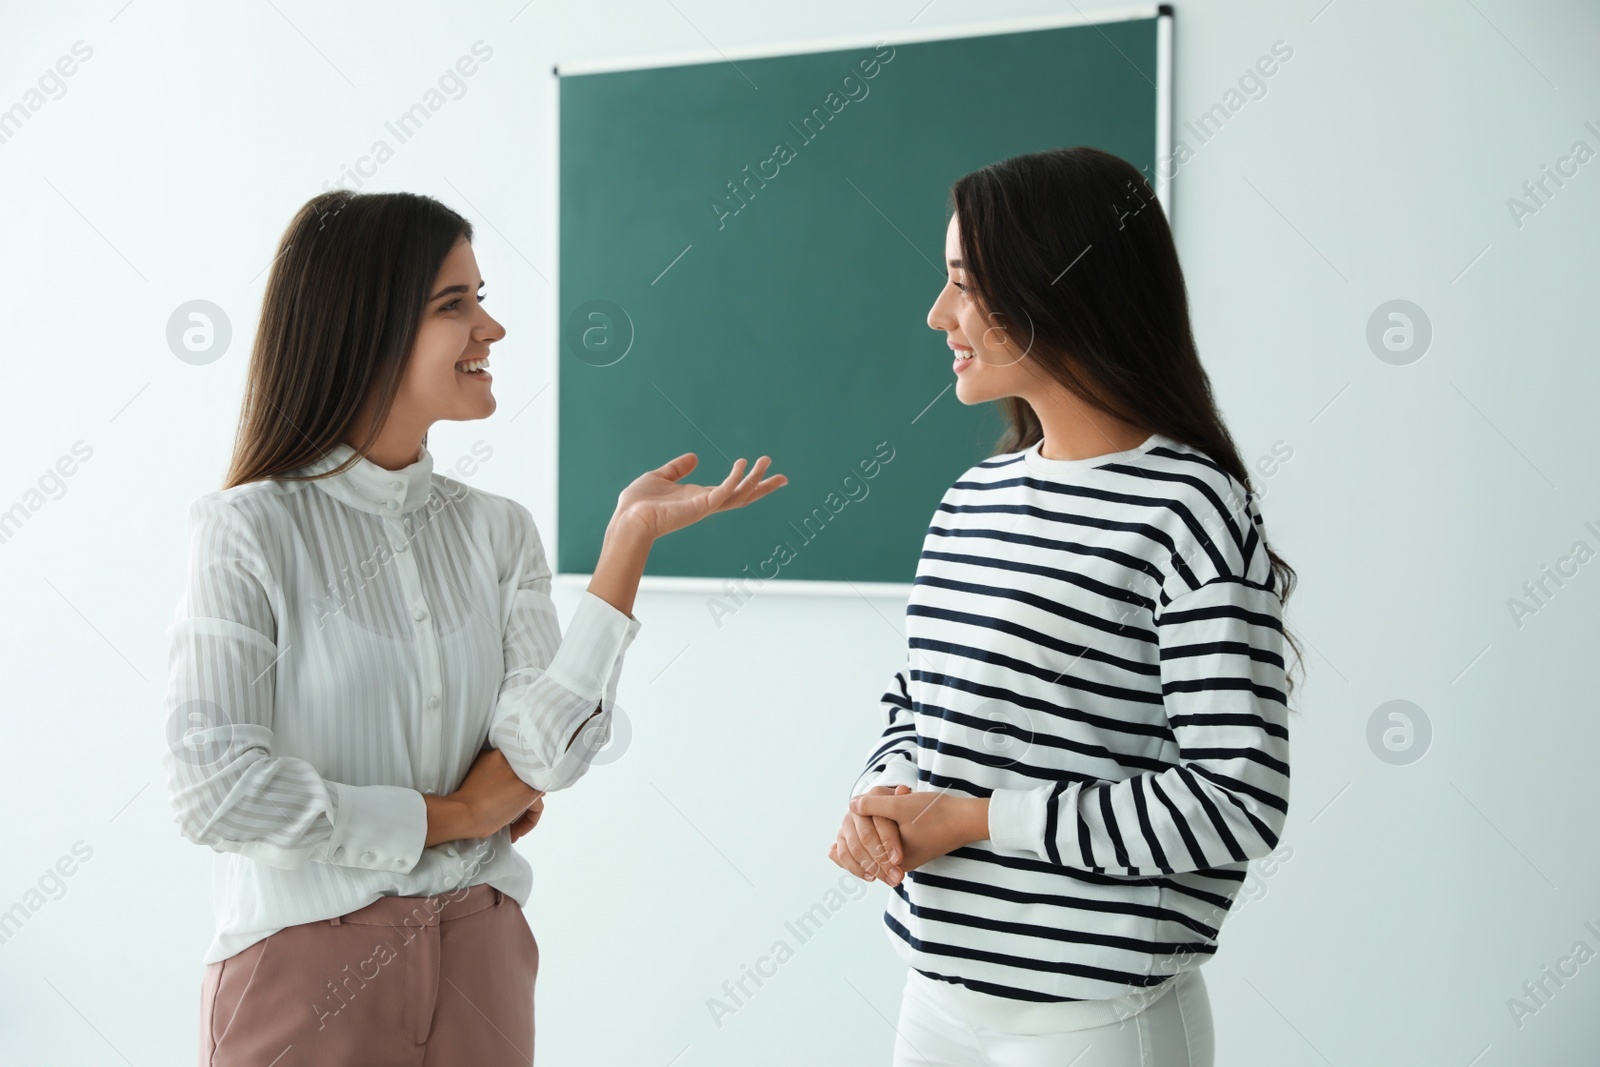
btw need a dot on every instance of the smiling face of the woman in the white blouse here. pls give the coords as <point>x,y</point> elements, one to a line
<point>455,335</point>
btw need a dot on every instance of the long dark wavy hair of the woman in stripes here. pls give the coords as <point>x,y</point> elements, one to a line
<point>1071,250</point>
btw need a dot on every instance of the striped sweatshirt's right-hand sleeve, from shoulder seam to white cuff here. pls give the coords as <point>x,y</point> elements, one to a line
<point>1226,799</point>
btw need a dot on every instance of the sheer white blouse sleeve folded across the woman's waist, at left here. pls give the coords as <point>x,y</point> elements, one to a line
<point>225,783</point>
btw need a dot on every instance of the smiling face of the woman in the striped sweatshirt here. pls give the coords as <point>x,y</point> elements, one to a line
<point>990,362</point>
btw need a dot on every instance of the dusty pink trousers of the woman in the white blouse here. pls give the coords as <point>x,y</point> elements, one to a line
<point>415,981</point>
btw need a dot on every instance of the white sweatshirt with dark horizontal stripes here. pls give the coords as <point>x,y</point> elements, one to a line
<point>1097,647</point>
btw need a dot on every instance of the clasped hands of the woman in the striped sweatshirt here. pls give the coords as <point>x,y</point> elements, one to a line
<point>892,831</point>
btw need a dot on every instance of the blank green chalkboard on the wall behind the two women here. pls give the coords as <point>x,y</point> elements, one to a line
<point>750,249</point>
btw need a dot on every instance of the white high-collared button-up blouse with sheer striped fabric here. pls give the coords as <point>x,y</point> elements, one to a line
<point>346,645</point>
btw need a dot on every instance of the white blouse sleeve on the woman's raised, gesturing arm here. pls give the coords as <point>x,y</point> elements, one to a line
<point>554,685</point>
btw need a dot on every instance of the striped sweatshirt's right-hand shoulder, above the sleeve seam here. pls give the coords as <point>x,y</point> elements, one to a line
<point>1220,533</point>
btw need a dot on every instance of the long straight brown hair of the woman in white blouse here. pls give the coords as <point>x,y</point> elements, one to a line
<point>348,290</point>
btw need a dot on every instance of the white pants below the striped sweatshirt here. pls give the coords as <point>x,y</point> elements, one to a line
<point>1172,1033</point>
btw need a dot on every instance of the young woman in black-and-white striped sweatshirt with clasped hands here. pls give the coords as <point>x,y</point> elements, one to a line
<point>1089,740</point>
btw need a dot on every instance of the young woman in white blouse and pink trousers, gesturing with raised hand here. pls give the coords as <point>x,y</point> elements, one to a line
<point>369,689</point>
